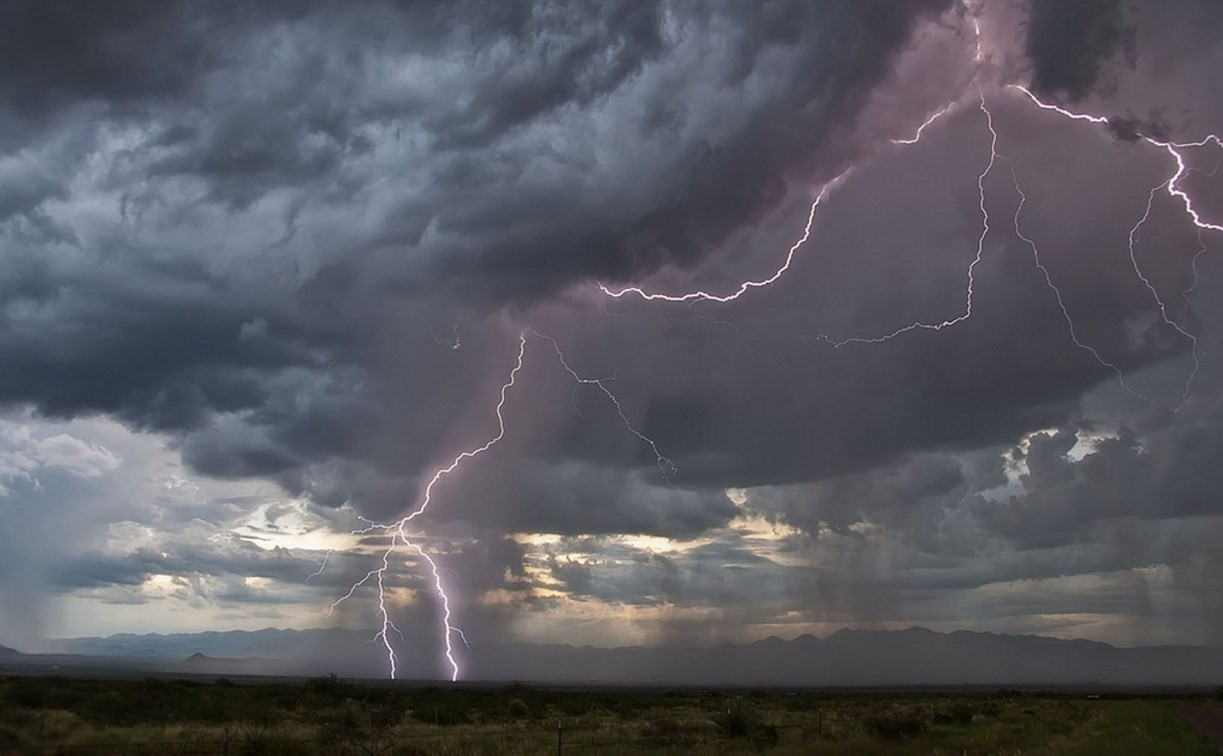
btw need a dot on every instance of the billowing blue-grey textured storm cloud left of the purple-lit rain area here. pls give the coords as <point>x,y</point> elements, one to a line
<point>216,123</point>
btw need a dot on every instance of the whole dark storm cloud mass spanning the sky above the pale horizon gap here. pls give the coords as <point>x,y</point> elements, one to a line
<point>300,240</point>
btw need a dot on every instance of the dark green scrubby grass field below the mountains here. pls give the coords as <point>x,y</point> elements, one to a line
<point>330,716</point>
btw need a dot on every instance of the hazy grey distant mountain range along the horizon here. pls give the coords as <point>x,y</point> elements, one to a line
<point>848,659</point>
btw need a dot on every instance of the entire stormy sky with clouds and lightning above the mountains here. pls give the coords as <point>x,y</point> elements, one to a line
<point>268,267</point>
